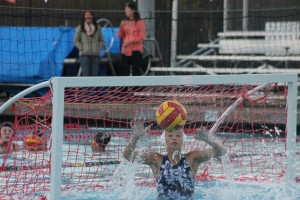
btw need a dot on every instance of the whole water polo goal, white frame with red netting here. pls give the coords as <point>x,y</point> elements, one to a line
<point>251,115</point>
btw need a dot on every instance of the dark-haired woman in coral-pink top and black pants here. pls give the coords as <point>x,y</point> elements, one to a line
<point>132,32</point>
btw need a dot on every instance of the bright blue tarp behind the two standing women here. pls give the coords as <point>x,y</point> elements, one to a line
<point>34,54</point>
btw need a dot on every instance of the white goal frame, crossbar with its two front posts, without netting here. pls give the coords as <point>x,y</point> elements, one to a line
<point>58,85</point>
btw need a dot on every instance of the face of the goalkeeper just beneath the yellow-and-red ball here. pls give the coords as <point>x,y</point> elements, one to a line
<point>174,139</point>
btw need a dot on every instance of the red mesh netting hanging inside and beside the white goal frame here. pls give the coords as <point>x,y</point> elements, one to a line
<point>254,133</point>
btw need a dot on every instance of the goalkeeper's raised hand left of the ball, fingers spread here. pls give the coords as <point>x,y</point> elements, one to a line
<point>138,125</point>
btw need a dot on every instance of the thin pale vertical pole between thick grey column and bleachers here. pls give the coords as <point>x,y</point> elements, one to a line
<point>174,32</point>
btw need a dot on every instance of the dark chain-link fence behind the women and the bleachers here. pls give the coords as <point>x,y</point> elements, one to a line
<point>198,21</point>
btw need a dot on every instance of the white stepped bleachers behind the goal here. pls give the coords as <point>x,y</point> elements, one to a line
<point>279,42</point>
